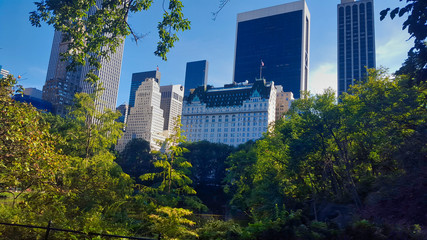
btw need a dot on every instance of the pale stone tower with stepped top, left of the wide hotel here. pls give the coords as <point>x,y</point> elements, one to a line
<point>145,119</point>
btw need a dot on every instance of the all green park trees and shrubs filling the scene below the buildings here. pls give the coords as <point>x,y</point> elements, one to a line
<point>355,168</point>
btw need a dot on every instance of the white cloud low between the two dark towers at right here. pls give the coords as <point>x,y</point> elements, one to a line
<point>323,77</point>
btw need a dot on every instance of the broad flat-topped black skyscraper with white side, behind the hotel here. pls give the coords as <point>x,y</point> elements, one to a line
<point>274,42</point>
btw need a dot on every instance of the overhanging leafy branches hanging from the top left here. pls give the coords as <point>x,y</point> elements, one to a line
<point>94,29</point>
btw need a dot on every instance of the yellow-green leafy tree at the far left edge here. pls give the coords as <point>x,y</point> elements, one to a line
<point>28,159</point>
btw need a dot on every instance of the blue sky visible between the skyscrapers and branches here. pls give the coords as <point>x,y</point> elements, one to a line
<point>25,50</point>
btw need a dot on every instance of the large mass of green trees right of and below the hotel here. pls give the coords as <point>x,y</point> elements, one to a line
<point>328,151</point>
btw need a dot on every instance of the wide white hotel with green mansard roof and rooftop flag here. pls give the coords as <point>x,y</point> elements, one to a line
<point>231,115</point>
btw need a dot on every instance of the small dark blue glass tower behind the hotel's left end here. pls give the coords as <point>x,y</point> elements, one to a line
<point>196,75</point>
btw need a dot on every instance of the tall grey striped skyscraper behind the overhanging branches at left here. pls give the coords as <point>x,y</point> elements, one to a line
<point>61,85</point>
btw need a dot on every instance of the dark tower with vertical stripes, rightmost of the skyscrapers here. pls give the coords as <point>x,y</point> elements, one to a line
<point>356,41</point>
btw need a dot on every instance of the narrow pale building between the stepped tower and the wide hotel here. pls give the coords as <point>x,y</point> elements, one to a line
<point>171,104</point>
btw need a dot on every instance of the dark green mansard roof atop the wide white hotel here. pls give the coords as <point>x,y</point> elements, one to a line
<point>231,94</point>
